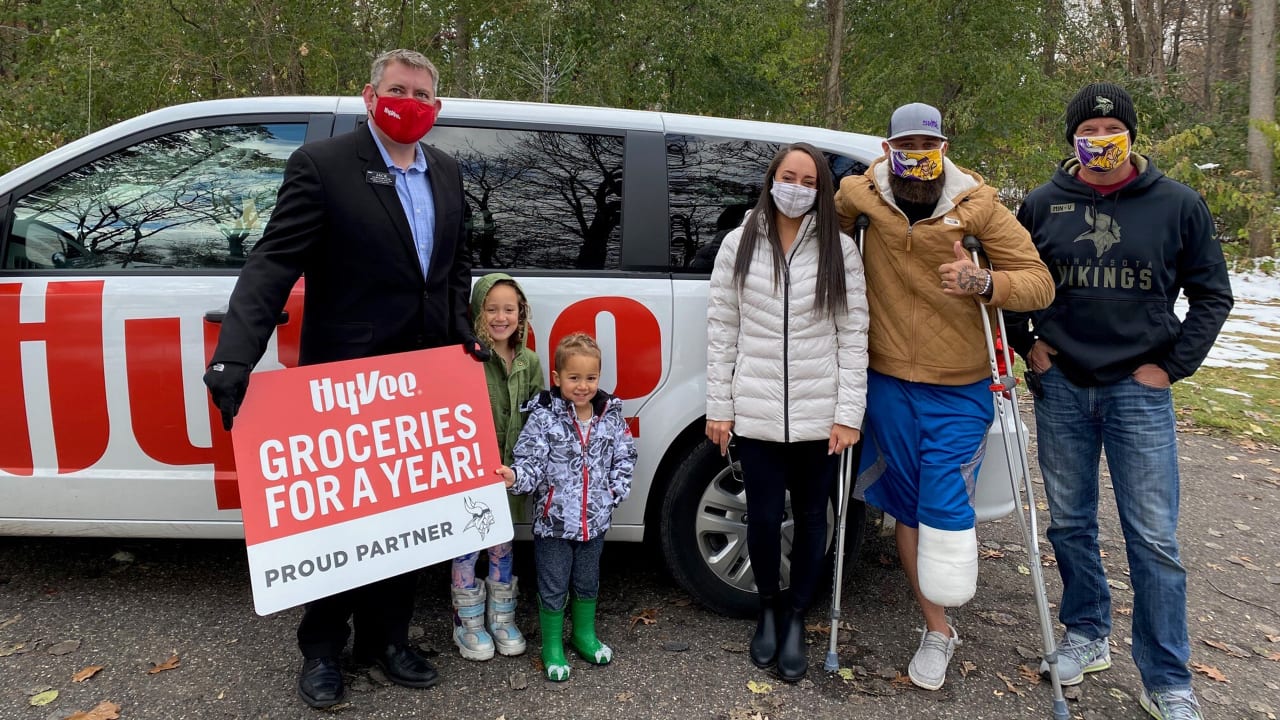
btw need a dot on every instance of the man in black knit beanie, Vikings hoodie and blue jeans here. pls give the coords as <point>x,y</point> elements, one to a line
<point>1123,241</point>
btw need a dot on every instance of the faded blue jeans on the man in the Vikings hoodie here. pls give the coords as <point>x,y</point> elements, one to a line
<point>1135,425</point>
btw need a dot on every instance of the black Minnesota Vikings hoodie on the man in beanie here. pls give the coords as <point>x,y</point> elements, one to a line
<point>1119,262</point>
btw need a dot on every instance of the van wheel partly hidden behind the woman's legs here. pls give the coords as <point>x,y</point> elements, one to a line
<point>703,535</point>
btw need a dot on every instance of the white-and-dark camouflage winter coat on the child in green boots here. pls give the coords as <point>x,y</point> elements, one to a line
<point>578,475</point>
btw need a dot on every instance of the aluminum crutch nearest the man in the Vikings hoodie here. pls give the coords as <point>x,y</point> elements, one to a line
<point>1005,386</point>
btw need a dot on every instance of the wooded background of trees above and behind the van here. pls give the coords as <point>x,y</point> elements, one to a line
<point>1201,72</point>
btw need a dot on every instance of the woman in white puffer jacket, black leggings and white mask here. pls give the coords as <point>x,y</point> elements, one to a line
<point>787,373</point>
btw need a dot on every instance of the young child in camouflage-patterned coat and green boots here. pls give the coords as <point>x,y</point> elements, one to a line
<point>577,457</point>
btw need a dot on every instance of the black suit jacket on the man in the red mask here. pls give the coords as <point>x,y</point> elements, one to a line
<point>365,293</point>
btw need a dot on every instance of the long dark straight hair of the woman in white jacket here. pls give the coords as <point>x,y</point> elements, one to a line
<point>831,258</point>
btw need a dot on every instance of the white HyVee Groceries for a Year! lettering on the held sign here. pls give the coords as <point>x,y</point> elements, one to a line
<point>406,454</point>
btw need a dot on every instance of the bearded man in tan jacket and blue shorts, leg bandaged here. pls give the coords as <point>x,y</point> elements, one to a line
<point>929,398</point>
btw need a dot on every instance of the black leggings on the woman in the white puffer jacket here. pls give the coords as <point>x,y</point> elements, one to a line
<point>769,471</point>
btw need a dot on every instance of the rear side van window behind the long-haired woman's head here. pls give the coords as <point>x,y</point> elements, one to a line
<point>714,183</point>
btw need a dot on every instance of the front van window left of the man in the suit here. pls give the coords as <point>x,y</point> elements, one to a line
<point>195,199</point>
